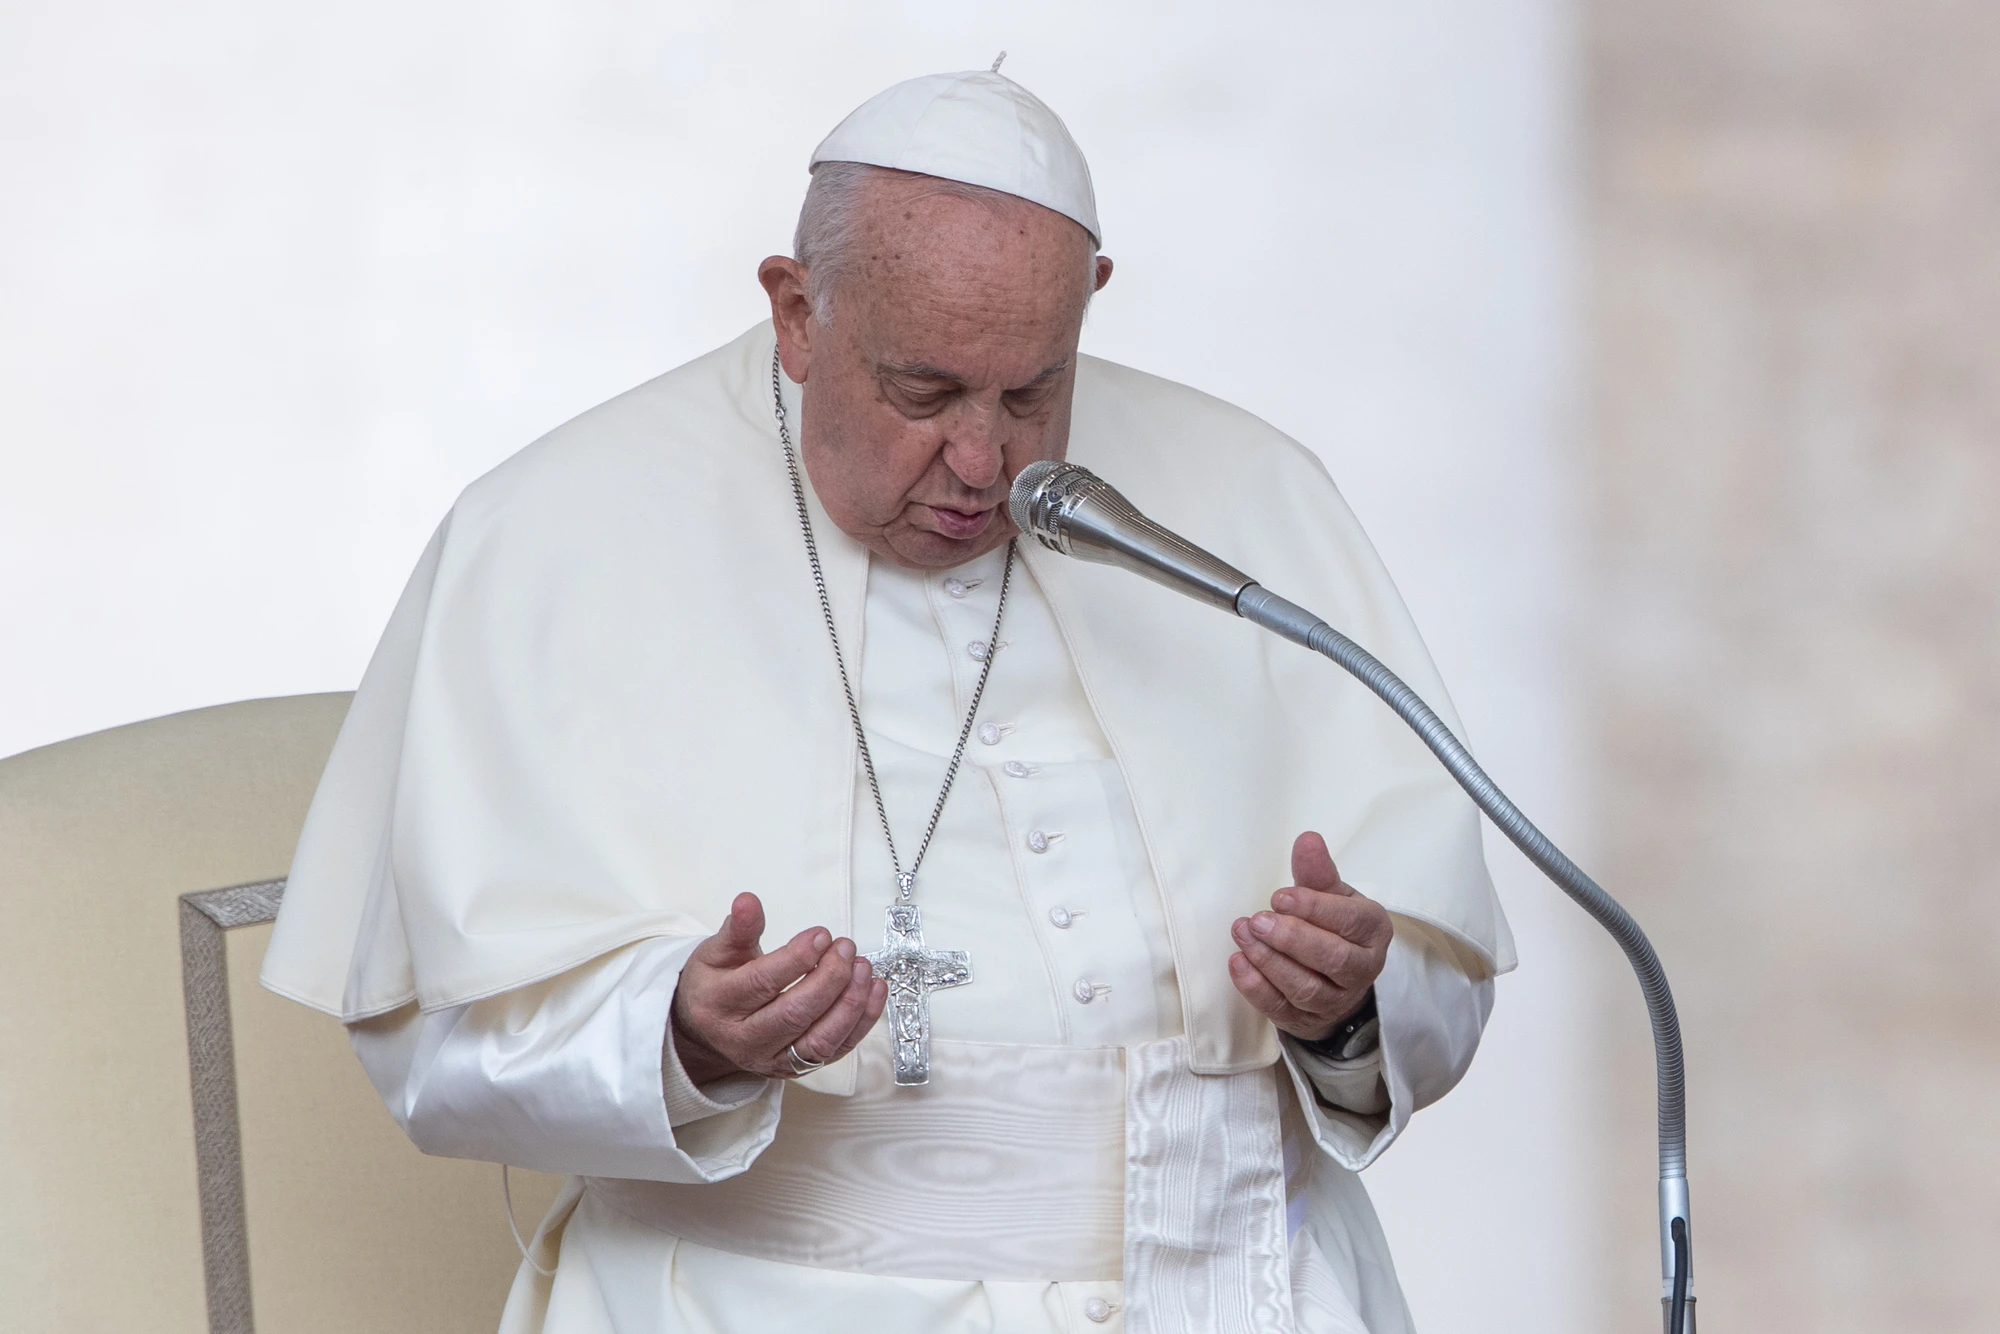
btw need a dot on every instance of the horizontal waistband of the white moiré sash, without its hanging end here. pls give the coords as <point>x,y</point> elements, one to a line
<point>1007,1167</point>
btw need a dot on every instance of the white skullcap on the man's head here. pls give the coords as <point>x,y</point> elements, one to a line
<point>977,127</point>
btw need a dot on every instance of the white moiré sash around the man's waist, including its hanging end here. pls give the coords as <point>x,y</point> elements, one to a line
<point>1021,1163</point>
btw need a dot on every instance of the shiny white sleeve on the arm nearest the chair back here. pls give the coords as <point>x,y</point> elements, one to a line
<point>571,1075</point>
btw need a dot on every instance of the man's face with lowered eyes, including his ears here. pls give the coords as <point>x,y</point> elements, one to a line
<point>947,369</point>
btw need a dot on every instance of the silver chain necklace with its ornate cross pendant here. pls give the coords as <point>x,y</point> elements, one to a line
<point>905,963</point>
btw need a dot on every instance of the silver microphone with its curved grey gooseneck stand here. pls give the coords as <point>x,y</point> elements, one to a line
<point>1071,511</point>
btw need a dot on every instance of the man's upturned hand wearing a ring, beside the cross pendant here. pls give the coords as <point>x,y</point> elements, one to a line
<point>745,1011</point>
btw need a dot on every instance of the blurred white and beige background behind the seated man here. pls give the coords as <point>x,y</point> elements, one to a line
<point>1655,343</point>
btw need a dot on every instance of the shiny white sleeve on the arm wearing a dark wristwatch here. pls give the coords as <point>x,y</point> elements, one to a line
<point>1433,1001</point>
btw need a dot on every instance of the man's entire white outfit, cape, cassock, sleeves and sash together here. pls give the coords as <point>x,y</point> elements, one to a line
<point>495,893</point>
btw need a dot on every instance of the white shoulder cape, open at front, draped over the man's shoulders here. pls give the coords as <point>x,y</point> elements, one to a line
<point>605,707</point>
